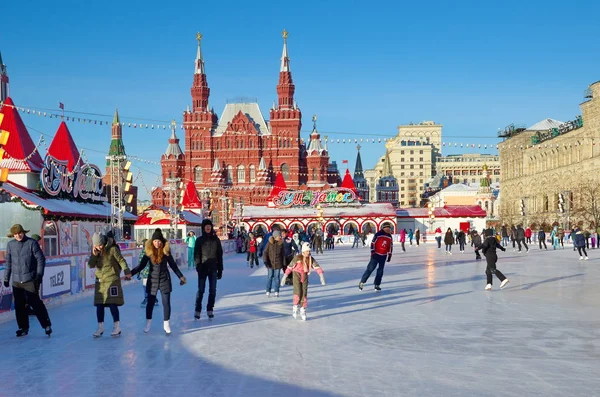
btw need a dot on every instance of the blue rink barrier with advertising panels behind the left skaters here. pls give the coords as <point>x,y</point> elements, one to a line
<point>67,277</point>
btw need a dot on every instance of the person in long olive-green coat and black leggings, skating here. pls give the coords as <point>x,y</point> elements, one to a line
<point>108,292</point>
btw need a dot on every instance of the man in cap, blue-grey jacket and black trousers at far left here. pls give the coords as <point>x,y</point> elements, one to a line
<point>25,262</point>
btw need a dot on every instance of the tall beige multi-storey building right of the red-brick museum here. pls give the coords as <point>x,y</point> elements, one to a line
<point>412,154</point>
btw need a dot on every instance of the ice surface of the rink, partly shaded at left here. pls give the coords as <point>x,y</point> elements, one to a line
<point>432,331</point>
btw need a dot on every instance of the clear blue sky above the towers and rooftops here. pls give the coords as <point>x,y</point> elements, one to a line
<point>362,67</point>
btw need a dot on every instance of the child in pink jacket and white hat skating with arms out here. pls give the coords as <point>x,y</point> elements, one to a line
<point>301,267</point>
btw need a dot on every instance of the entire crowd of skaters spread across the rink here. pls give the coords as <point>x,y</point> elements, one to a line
<point>287,251</point>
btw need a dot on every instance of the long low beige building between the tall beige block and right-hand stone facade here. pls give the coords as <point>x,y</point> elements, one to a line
<point>468,168</point>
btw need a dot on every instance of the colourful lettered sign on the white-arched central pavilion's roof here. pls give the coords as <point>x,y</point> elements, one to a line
<point>306,198</point>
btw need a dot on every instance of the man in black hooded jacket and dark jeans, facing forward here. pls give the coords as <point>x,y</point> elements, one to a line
<point>208,256</point>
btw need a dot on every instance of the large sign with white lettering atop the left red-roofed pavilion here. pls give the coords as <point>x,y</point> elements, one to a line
<point>85,181</point>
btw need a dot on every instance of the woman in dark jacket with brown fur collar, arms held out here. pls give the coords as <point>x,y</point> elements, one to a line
<point>158,255</point>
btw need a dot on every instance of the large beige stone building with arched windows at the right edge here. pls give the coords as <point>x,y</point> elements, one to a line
<point>550,171</point>
